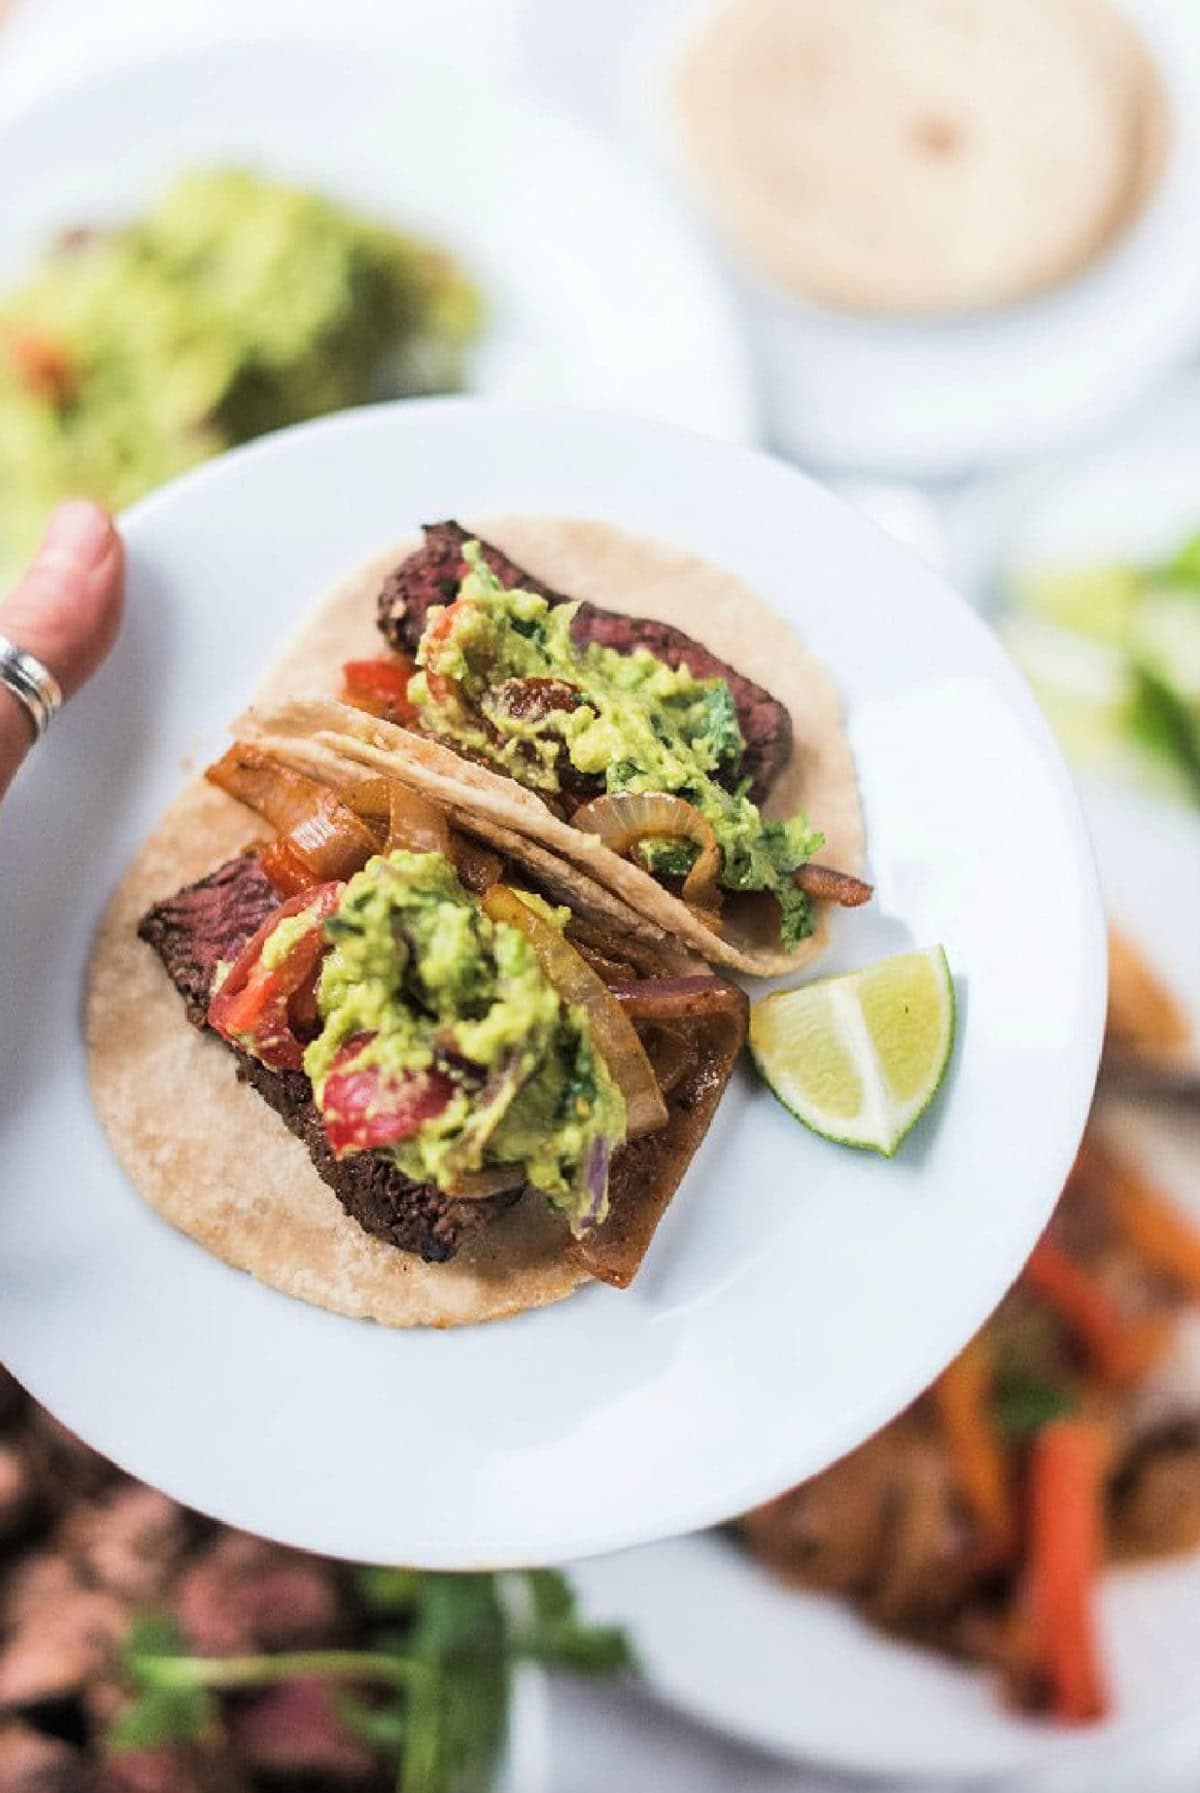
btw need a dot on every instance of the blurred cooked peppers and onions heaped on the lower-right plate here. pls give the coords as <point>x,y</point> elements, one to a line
<point>1061,1441</point>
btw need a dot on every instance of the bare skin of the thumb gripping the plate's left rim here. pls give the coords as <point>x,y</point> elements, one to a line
<point>65,611</point>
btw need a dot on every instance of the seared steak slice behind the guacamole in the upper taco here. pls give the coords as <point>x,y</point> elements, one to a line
<point>433,575</point>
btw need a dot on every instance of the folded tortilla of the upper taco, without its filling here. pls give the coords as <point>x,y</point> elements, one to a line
<point>641,578</point>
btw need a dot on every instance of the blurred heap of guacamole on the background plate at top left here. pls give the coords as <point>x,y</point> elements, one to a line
<point>236,306</point>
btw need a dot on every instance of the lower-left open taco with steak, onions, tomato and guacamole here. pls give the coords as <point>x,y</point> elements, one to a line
<point>385,1059</point>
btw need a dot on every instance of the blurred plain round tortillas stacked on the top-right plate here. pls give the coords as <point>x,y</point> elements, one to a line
<point>921,155</point>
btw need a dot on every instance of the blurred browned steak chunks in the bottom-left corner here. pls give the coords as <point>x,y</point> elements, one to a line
<point>100,1554</point>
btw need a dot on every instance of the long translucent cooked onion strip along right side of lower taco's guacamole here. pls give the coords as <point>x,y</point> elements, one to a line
<point>613,1032</point>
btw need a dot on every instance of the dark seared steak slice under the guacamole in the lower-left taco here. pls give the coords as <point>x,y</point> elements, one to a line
<point>213,921</point>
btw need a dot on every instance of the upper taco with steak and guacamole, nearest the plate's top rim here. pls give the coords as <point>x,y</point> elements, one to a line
<point>638,745</point>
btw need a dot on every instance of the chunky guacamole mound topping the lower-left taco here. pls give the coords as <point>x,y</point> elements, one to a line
<point>422,982</point>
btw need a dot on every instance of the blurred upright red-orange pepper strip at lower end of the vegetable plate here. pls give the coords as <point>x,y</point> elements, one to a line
<point>1068,1471</point>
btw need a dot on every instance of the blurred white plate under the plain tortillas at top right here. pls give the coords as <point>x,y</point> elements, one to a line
<point>941,397</point>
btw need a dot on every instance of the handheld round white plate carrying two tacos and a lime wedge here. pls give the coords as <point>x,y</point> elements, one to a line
<point>797,1294</point>
